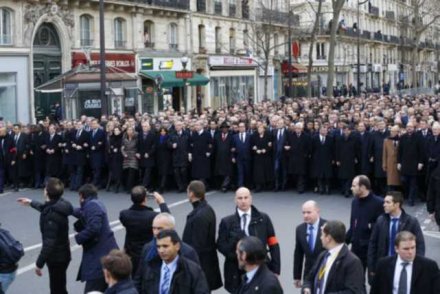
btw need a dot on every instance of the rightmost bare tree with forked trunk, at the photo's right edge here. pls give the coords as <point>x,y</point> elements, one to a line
<point>424,14</point>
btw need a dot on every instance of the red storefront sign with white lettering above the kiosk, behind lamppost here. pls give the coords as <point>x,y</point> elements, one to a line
<point>122,61</point>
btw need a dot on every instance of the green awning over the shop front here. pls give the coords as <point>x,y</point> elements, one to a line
<point>170,81</point>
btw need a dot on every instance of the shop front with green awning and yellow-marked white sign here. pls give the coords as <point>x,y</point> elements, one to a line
<point>163,87</point>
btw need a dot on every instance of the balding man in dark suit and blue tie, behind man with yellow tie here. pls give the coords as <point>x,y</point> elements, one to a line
<point>308,241</point>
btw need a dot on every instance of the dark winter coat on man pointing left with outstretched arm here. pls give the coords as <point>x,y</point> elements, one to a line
<point>54,228</point>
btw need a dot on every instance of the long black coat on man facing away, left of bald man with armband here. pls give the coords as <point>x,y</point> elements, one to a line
<point>199,232</point>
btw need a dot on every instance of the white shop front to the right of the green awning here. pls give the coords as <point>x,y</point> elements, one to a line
<point>233,79</point>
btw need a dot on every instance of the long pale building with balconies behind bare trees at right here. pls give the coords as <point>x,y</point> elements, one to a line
<point>386,32</point>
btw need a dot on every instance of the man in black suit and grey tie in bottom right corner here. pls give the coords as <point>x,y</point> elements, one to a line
<point>406,272</point>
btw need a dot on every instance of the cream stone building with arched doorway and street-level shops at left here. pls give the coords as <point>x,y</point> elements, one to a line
<point>49,52</point>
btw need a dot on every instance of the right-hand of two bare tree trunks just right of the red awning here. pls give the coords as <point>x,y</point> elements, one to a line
<point>337,6</point>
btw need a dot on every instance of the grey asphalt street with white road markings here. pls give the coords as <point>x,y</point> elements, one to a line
<point>284,209</point>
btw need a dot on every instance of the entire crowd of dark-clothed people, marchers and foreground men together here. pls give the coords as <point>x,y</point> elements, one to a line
<point>318,145</point>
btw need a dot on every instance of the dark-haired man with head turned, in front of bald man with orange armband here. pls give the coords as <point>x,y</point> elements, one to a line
<point>251,256</point>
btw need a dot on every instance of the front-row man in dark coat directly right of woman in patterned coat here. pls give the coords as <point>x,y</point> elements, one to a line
<point>146,149</point>
